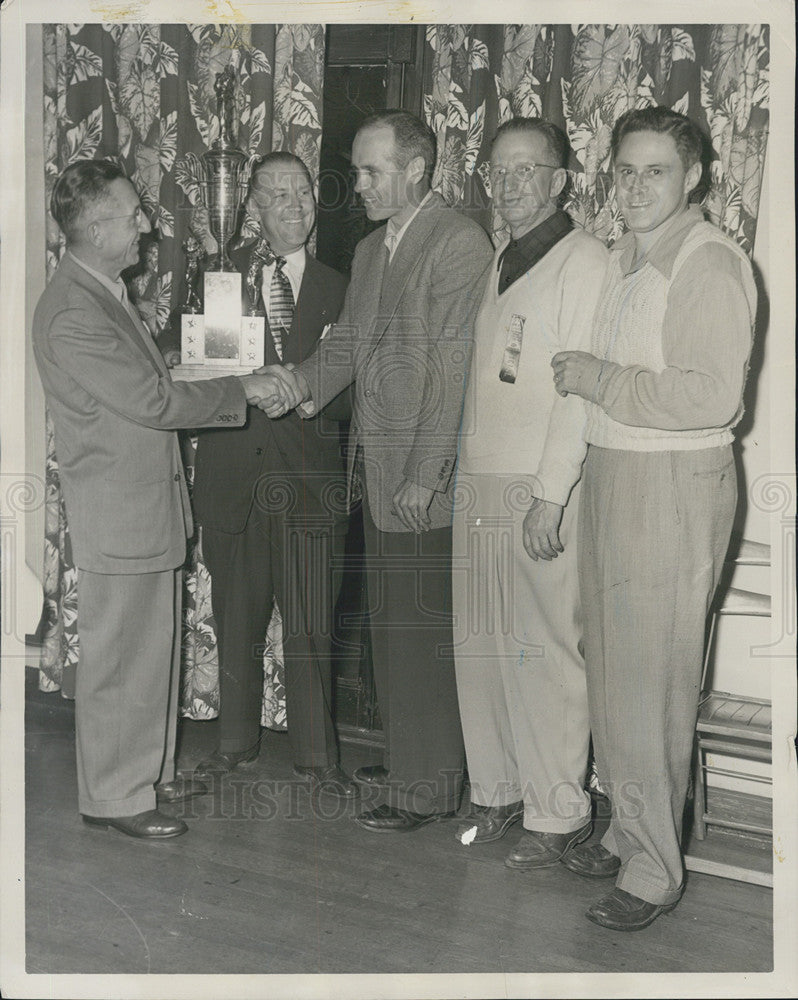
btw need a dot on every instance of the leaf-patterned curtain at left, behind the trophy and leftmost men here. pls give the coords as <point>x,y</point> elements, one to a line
<point>143,95</point>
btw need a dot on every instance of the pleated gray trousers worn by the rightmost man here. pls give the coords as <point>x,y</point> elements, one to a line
<point>654,530</point>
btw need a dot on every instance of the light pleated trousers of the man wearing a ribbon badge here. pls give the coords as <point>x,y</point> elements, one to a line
<point>520,672</point>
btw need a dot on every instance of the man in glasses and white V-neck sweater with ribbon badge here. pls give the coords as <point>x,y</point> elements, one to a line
<point>520,673</point>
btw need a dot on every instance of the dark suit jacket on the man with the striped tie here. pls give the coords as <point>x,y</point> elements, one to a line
<point>286,465</point>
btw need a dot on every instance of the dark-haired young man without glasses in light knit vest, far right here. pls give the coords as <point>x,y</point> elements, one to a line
<point>664,386</point>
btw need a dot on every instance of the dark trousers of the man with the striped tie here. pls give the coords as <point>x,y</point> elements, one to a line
<point>274,560</point>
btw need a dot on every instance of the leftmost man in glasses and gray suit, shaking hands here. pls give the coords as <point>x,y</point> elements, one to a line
<point>115,411</point>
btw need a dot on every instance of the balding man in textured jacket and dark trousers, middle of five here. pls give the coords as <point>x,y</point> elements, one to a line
<point>403,338</point>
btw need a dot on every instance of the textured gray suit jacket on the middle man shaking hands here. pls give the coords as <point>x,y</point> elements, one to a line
<point>404,336</point>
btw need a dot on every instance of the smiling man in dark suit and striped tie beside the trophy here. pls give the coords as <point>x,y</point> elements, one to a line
<point>271,501</point>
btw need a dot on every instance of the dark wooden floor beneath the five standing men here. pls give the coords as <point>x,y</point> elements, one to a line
<point>269,880</point>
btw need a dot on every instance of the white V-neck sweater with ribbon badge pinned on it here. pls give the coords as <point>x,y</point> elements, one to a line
<point>524,427</point>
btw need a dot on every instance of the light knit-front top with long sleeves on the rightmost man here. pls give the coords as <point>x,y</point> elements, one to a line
<point>675,336</point>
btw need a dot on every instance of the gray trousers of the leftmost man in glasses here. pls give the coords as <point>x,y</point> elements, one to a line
<point>126,689</point>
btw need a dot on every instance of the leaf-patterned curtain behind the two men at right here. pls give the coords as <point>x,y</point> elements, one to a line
<point>583,77</point>
